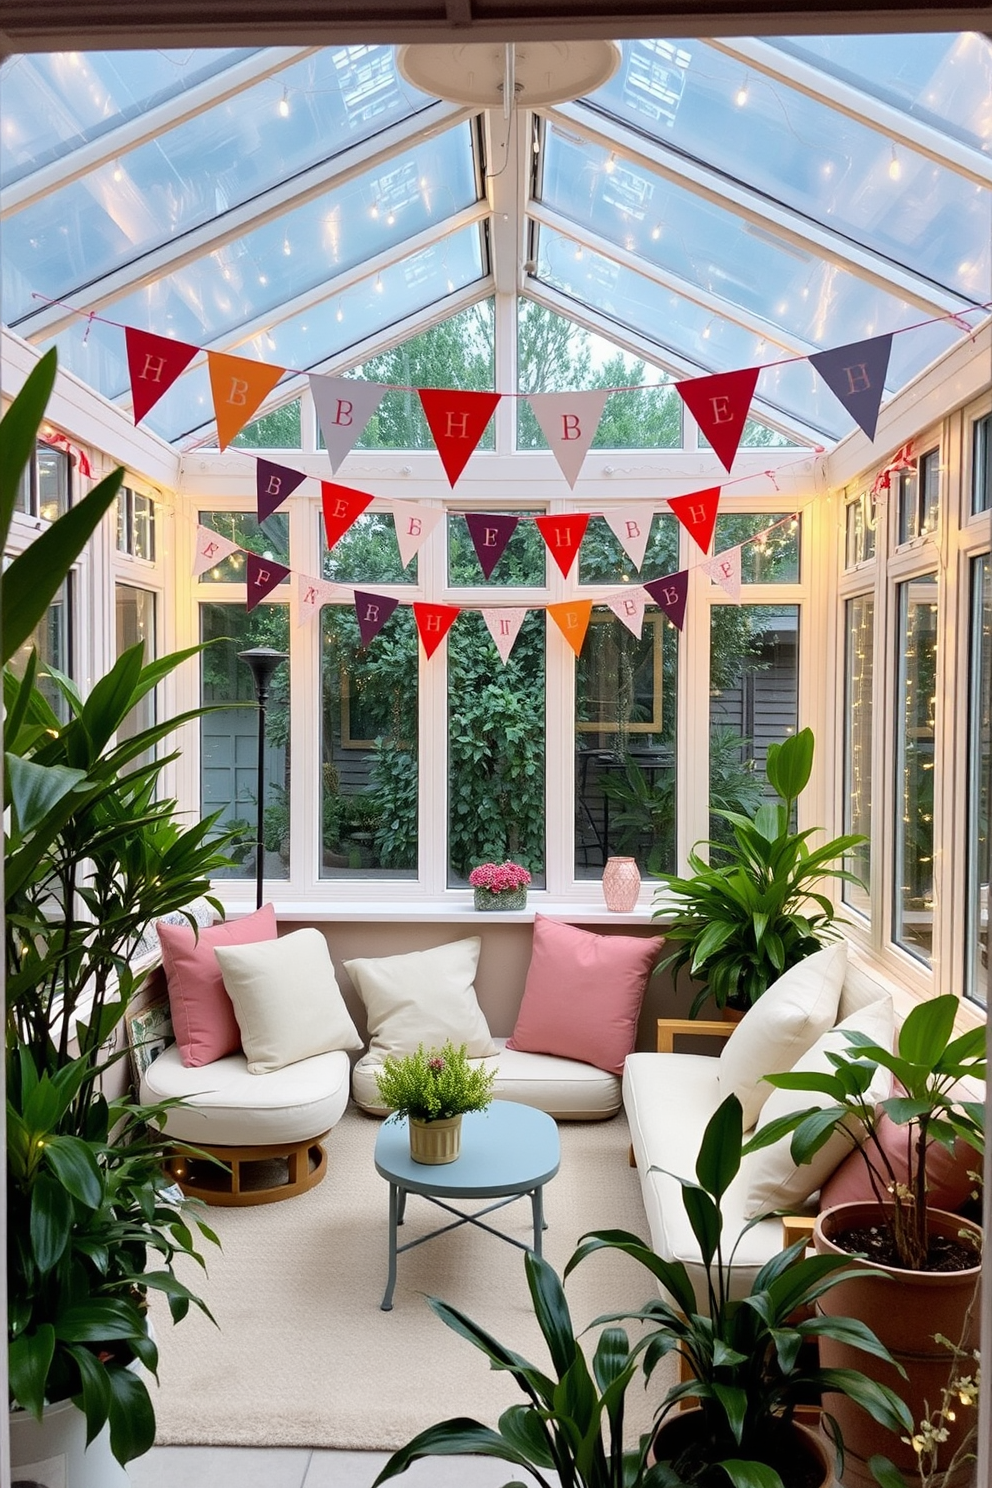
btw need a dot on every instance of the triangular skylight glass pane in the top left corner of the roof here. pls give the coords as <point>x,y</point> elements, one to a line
<point>53,103</point>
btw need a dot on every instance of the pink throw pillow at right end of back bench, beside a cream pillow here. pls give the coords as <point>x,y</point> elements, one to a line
<point>584,995</point>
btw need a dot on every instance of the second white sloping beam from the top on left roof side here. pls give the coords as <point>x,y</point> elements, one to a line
<point>368,155</point>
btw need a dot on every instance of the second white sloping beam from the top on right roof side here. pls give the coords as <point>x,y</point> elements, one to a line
<point>795,230</point>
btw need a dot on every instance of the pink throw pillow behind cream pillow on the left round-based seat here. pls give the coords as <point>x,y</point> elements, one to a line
<point>203,1014</point>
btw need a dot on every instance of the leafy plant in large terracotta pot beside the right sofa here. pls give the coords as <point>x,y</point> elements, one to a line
<point>936,1258</point>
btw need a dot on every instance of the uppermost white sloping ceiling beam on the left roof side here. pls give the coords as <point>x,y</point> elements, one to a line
<point>149,126</point>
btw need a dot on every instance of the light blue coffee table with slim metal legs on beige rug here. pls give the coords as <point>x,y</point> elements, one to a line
<point>508,1152</point>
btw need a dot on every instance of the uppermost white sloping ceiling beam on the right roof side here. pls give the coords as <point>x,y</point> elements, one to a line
<point>860,106</point>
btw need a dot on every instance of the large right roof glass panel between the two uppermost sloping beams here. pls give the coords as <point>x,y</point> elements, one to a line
<point>808,157</point>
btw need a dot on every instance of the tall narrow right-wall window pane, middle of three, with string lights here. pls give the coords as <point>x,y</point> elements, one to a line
<point>915,708</point>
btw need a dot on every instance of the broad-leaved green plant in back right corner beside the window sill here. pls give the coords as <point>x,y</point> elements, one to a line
<point>756,910</point>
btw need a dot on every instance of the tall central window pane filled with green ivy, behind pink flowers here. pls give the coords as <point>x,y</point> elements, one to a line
<point>496,749</point>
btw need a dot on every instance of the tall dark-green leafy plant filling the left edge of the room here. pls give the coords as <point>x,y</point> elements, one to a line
<point>91,859</point>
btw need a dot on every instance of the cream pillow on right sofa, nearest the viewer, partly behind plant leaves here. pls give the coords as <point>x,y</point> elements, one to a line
<point>776,1181</point>
